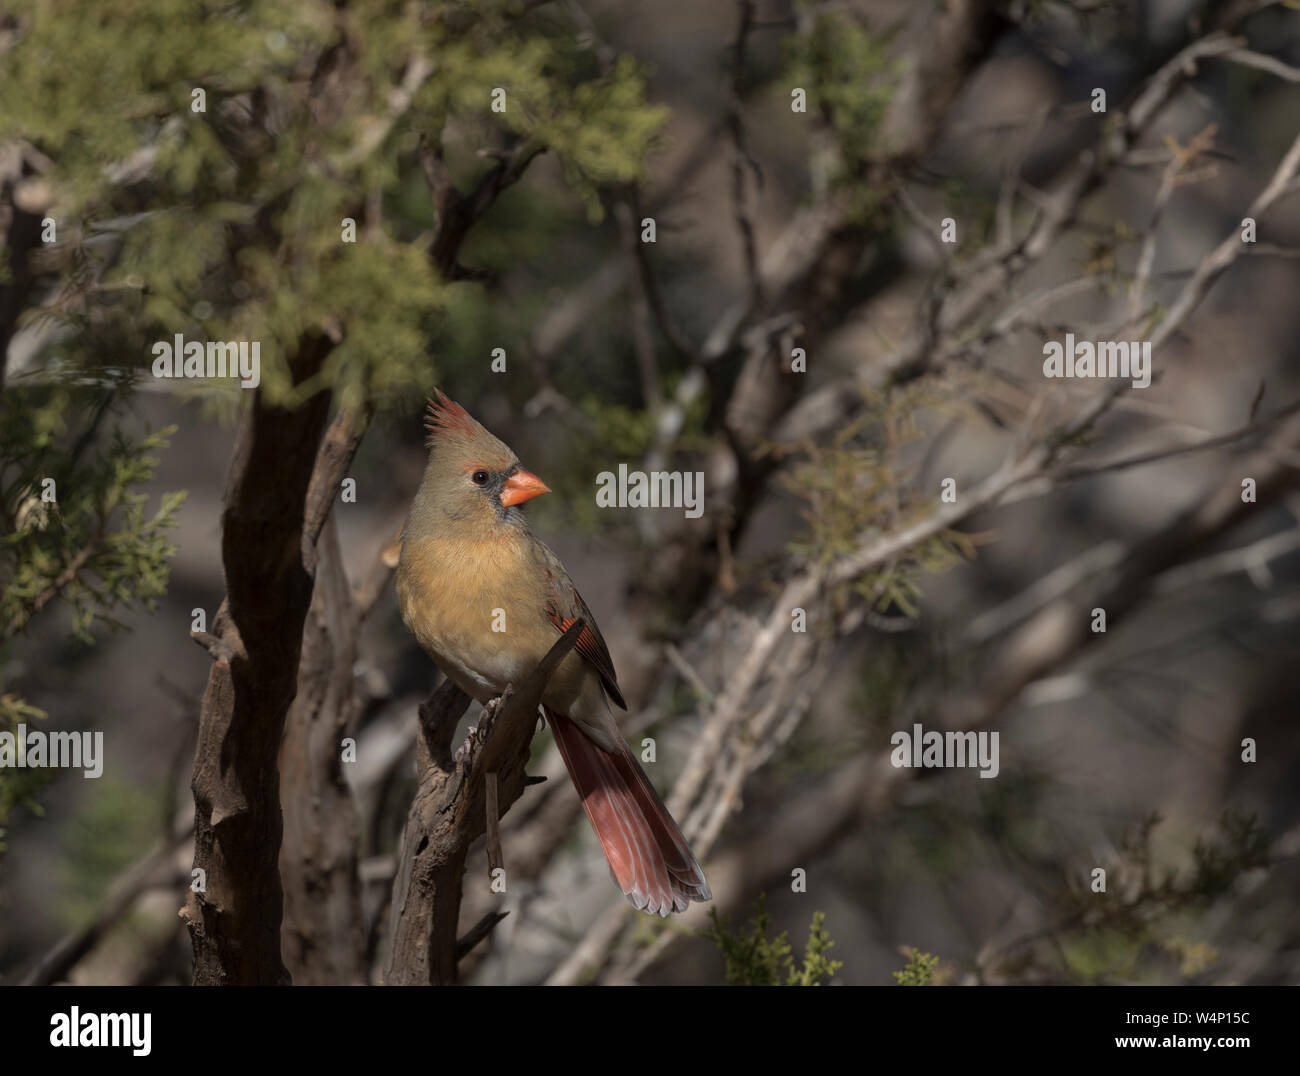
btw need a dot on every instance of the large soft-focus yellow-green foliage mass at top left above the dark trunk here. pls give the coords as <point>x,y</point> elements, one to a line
<point>241,233</point>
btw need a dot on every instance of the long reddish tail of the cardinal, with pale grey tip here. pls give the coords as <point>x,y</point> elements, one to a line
<point>651,860</point>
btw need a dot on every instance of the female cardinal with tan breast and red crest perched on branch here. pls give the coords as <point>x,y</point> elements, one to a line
<point>470,566</point>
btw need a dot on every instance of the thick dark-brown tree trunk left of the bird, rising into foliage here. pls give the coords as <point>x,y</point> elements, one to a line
<point>235,919</point>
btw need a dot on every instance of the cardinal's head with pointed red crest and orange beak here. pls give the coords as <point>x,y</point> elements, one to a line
<point>473,475</point>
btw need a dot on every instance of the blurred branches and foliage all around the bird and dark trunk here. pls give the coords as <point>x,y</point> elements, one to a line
<point>651,232</point>
